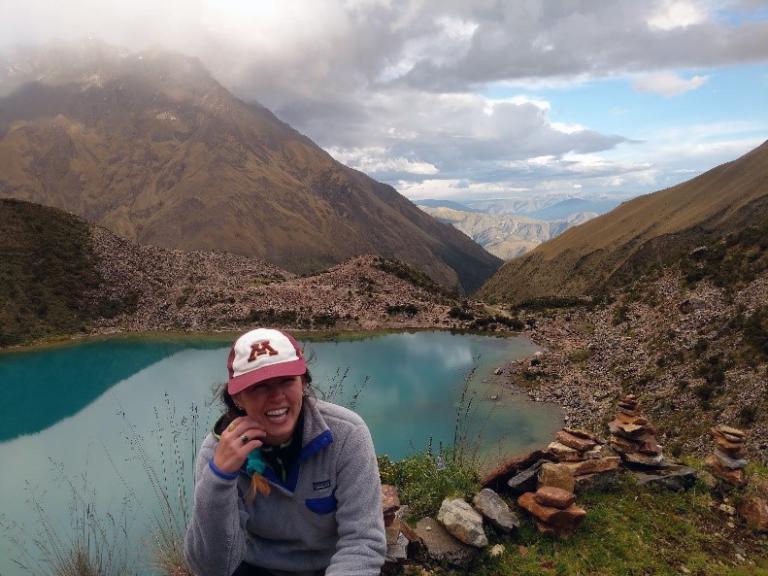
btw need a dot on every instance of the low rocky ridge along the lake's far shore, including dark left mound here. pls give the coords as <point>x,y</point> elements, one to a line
<point>60,275</point>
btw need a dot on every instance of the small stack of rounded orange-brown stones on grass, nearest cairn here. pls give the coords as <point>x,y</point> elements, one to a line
<point>554,509</point>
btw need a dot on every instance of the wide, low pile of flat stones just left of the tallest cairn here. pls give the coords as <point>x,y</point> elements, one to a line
<point>589,461</point>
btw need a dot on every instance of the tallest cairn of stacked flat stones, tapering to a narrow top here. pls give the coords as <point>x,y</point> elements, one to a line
<point>633,437</point>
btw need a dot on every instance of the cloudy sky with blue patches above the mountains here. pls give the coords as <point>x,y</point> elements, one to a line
<point>526,99</point>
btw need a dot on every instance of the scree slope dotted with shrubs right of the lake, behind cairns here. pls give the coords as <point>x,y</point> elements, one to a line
<point>691,343</point>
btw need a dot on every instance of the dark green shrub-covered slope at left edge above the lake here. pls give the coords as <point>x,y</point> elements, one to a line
<point>47,271</point>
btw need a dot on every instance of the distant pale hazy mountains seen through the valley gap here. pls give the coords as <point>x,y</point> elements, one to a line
<point>504,235</point>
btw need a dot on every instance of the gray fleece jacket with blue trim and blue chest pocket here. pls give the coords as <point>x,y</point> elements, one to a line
<point>326,518</point>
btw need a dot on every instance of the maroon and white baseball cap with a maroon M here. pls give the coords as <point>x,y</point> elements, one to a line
<point>262,354</point>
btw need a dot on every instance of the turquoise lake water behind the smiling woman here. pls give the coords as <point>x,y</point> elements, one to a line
<point>87,426</point>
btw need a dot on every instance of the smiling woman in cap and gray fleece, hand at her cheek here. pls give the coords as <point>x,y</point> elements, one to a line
<point>286,483</point>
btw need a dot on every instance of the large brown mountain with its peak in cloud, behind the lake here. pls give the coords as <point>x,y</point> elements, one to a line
<point>150,146</point>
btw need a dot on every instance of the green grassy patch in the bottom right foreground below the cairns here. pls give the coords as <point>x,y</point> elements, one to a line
<point>633,531</point>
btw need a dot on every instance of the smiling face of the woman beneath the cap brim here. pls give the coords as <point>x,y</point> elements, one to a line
<point>275,404</point>
